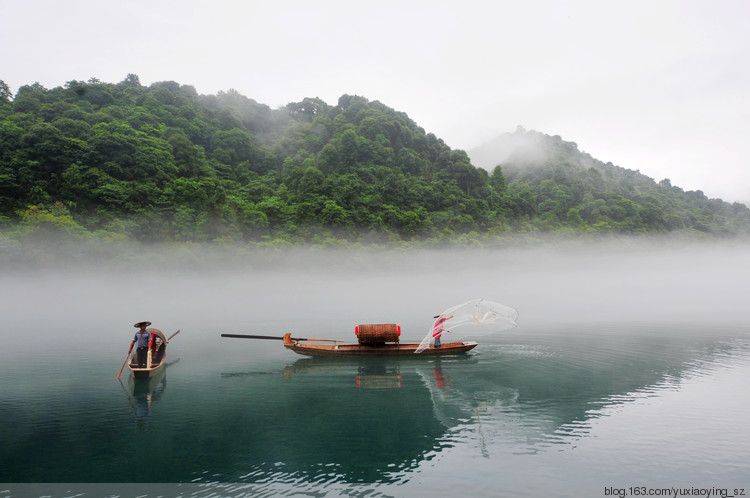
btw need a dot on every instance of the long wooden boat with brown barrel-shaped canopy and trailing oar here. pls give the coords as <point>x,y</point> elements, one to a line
<point>374,340</point>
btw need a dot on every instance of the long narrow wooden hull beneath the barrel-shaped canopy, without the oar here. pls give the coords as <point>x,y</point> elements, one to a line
<point>342,350</point>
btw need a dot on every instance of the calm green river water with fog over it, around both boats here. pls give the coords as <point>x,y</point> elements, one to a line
<point>628,373</point>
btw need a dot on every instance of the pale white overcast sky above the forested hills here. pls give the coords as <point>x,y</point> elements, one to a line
<point>657,86</point>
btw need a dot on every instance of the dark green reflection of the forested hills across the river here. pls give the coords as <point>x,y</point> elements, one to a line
<point>270,417</point>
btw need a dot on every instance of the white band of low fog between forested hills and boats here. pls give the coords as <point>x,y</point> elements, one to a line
<point>326,293</point>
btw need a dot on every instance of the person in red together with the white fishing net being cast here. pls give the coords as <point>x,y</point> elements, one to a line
<point>476,318</point>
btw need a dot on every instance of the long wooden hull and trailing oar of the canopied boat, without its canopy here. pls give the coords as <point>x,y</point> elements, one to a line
<point>337,349</point>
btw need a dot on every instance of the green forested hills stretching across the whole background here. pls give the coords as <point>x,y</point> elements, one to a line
<point>163,163</point>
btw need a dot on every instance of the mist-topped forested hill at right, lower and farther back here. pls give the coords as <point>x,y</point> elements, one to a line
<point>570,185</point>
